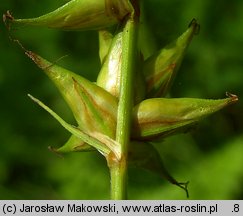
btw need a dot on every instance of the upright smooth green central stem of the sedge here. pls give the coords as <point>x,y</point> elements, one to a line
<point>118,168</point>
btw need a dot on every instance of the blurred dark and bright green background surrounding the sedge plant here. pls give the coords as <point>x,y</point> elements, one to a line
<point>210,157</point>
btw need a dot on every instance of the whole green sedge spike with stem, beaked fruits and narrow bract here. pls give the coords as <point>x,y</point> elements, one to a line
<point>126,109</point>
